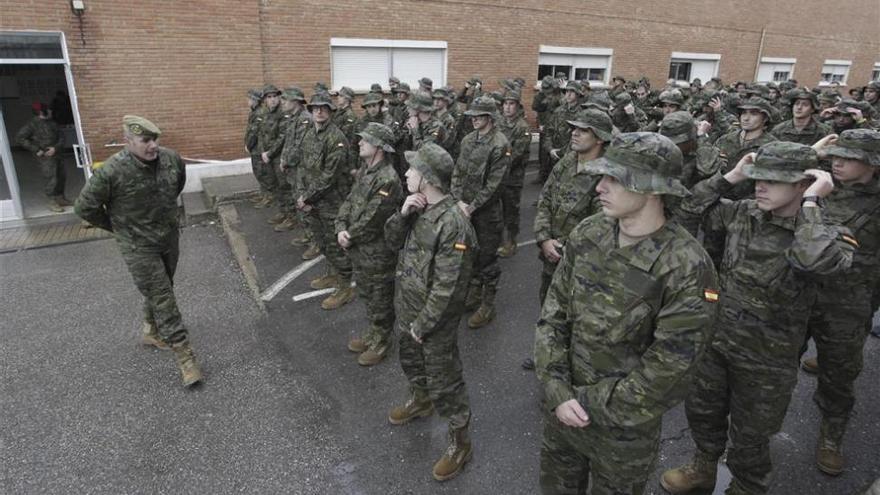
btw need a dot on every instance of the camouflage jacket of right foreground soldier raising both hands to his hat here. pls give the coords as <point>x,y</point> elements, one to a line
<point>768,272</point>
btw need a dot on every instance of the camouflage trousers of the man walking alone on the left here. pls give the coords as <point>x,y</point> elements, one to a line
<point>153,275</point>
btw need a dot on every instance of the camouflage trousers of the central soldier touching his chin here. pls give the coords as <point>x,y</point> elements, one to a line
<point>434,371</point>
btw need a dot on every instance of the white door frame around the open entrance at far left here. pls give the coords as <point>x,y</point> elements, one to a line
<point>5,145</point>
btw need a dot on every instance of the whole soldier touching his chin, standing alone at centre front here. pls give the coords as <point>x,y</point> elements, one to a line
<point>437,246</point>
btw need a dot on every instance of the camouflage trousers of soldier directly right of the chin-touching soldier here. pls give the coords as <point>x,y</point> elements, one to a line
<point>489,228</point>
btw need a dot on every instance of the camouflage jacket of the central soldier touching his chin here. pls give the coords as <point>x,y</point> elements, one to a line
<point>437,249</point>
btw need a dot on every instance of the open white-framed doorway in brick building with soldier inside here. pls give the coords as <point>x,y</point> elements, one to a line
<point>36,92</point>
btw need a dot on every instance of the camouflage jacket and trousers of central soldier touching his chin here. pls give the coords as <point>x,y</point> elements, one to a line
<point>437,248</point>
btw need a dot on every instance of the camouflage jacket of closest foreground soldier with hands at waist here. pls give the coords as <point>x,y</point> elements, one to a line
<point>622,327</point>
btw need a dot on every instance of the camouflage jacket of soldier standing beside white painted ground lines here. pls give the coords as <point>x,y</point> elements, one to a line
<point>323,177</point>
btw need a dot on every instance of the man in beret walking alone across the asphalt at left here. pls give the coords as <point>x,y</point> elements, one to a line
<point>134,196</point>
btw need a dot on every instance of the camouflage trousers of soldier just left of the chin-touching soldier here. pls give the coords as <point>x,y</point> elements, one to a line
<point>374,270</point>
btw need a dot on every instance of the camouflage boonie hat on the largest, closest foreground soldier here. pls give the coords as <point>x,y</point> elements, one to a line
<point>643,162</point>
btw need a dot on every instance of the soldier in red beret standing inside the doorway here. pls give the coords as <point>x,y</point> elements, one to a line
<point>42,137</point>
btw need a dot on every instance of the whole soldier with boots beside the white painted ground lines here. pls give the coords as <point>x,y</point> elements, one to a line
<point>323,182</point>
